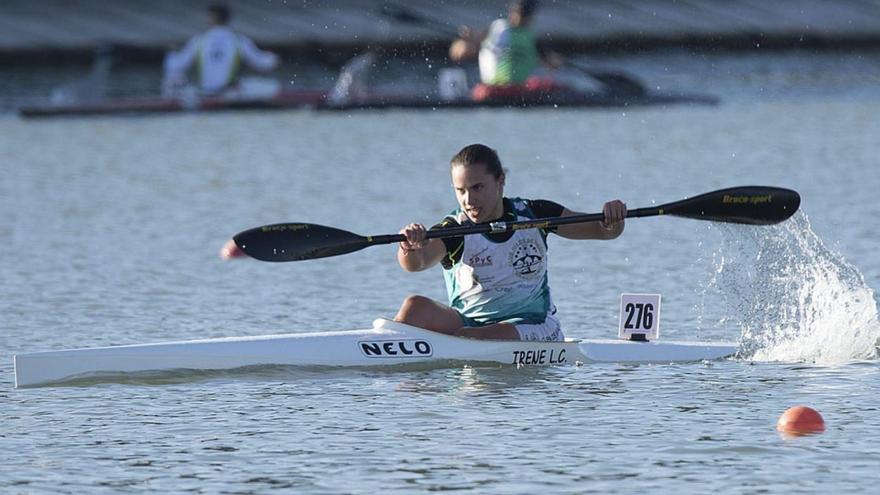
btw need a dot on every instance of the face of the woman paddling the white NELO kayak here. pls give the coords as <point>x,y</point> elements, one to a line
<point>478,192</point>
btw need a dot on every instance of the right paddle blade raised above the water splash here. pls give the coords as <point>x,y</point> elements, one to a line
<point>754,205</point>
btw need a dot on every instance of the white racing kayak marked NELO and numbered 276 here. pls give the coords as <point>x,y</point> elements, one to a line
<point>388,343</point>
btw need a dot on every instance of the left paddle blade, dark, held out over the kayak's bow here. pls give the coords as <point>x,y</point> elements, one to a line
<point>297,242</point>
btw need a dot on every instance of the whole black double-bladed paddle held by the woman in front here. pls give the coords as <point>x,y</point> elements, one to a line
<point>753,205</point>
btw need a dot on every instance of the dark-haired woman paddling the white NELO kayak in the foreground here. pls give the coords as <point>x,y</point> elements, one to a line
<point>496,283</point>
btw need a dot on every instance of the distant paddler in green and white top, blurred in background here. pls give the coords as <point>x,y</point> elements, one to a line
<point>507,53</point>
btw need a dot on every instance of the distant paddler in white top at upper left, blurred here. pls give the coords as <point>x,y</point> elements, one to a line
<point>217,54</point>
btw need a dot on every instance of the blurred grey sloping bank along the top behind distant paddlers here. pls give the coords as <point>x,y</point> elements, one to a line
<point>327,31</point>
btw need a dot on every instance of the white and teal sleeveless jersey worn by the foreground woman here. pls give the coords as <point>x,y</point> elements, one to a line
<point>492,279</point>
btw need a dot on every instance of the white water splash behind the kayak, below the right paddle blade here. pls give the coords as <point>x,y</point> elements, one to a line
<point>792,297</point>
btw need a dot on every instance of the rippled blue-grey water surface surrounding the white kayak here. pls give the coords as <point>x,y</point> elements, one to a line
<point>111,228</point>
